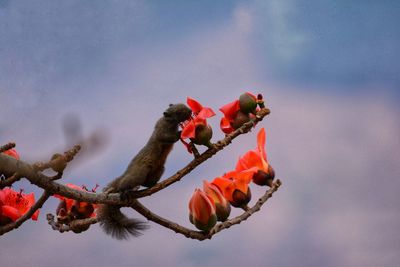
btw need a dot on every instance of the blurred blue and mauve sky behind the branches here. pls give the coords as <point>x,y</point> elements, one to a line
<point>329,71</point>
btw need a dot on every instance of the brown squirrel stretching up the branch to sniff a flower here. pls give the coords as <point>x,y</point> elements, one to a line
<point>145,169</point>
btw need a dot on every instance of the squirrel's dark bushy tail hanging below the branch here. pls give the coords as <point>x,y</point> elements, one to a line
<point>116,224</point>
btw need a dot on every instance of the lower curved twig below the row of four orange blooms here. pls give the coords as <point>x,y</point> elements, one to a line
<point>217,228</point>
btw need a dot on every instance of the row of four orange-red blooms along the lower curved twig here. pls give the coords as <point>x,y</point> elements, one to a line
<point>232,187</point>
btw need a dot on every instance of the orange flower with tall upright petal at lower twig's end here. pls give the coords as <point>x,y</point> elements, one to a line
<point>258,158</point>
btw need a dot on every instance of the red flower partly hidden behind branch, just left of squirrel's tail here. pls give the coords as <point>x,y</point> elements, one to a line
<point>71,209</point>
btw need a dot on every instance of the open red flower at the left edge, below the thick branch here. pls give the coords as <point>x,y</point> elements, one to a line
<point>14,204</point>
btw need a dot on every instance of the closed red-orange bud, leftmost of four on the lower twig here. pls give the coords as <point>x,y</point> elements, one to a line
<point>202,211</point>
